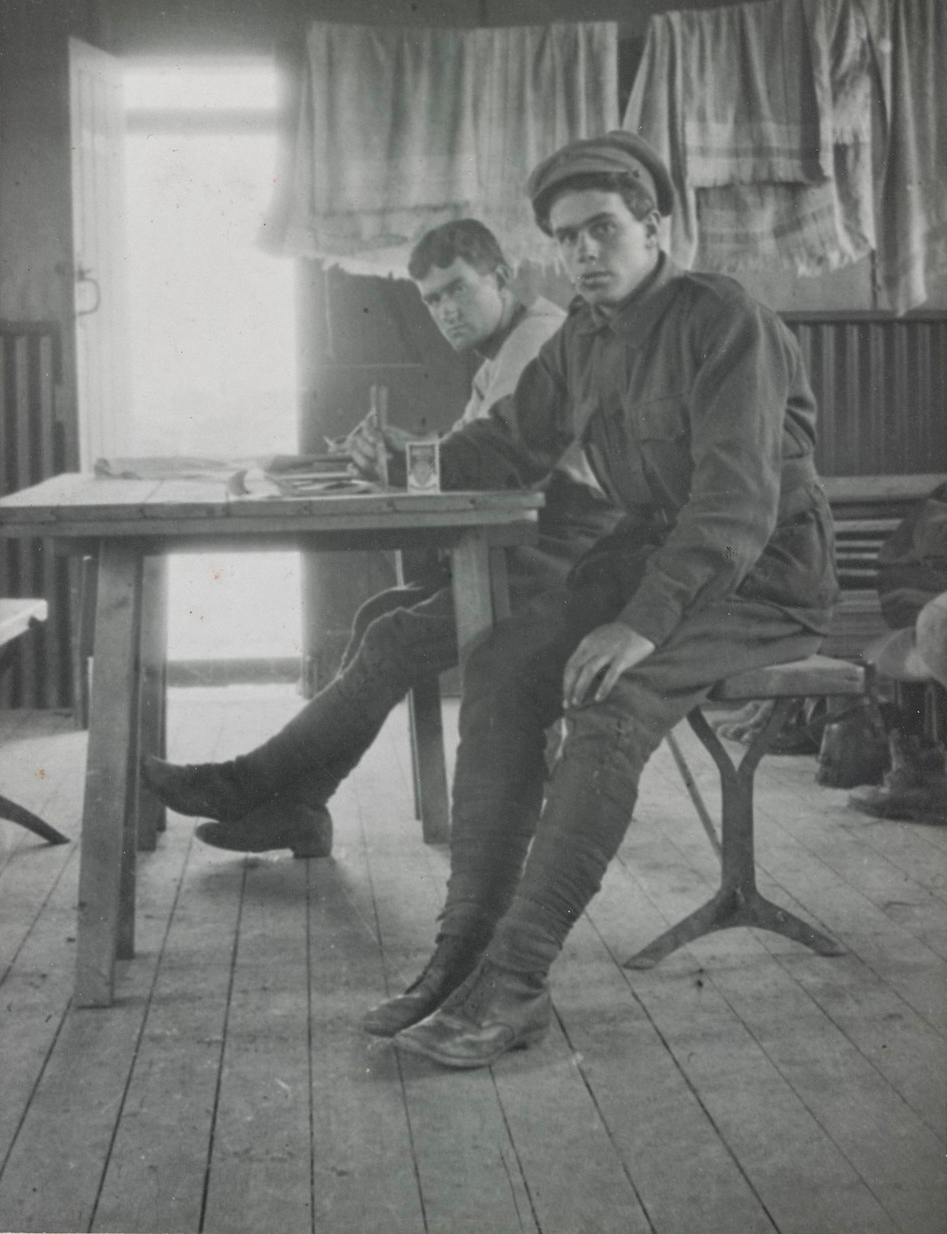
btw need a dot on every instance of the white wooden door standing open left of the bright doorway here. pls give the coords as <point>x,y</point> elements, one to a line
<point>98,180</point>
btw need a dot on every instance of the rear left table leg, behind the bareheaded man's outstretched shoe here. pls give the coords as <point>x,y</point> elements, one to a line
<point>154,679</point>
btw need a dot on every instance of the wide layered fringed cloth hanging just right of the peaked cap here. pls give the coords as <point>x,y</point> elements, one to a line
<point>771,160</point>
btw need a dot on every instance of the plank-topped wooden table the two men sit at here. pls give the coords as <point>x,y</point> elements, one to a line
<point>131,526</point>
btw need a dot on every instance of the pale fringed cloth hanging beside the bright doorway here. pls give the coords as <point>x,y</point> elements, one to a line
<point>402,129</point>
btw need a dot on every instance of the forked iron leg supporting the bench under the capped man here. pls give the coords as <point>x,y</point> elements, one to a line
<point>738,903</point>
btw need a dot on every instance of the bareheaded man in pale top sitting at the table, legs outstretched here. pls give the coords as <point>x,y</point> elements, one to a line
<point>275,797</point>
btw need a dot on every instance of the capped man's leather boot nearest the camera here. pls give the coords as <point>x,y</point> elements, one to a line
<point>494,1011</point>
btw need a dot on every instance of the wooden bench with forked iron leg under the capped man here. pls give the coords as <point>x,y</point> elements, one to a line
<point>739,903</point>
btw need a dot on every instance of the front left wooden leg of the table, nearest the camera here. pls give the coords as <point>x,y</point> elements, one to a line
<point>107,868</point>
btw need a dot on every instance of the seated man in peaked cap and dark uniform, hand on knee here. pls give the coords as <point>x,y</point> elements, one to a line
<point>691,402</point>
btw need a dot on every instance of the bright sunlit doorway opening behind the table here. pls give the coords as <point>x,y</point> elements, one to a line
<point>213,326</point>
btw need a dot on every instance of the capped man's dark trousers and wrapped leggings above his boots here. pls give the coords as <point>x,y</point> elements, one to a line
<point>513,693</point>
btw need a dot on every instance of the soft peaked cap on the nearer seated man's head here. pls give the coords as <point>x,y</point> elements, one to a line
<point>615,154</point>
